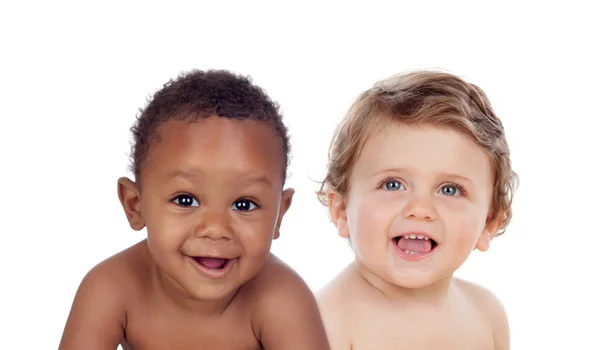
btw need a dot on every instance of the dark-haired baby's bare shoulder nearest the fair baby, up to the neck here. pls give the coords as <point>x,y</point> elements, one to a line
<point>285,314</point>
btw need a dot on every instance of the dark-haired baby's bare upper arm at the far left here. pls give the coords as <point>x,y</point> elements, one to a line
<point>97,317</point>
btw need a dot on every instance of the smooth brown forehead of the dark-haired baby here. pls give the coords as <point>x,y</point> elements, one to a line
<point>216,146</point>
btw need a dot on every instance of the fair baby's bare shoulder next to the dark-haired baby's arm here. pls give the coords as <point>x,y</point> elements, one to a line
<point>337,303</point>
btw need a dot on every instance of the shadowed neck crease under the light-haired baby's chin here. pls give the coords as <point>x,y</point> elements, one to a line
<point>432,294</point>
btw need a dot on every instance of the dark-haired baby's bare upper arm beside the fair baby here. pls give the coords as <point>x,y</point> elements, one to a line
<point>288,318</point>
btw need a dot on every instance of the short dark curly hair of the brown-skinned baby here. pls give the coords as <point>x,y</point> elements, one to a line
<point>196,95</point>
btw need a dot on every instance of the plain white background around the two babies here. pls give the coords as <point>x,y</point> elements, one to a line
<point>72,76</point>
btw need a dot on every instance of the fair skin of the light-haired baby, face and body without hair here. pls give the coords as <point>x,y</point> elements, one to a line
<point>418,204</point>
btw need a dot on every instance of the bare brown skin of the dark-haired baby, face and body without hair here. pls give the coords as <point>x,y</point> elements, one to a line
<point>154,295</point>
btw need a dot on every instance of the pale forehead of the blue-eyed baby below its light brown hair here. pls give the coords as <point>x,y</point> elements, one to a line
<point>425,149</point>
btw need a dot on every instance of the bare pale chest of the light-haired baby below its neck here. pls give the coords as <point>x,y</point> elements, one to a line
<point>422,330</point>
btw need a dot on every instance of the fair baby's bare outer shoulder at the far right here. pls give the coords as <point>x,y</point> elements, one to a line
<point>492,309</point>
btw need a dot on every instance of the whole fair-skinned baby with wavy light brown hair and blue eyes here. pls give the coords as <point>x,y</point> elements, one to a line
<point>419,176</point>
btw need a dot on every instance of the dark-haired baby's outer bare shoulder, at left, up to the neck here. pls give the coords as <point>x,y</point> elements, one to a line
<point>97,319</point>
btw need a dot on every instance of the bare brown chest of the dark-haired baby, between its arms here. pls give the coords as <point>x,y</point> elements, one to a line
<point>151,329</point>
